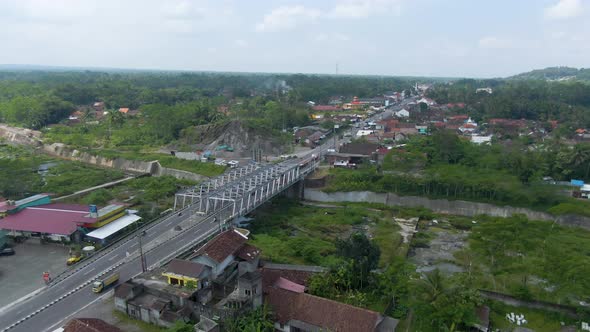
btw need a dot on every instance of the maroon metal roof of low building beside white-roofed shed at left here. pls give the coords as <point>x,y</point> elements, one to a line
<point>50,218</point>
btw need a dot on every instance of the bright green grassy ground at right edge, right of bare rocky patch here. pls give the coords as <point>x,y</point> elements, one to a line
<point>532,259</point>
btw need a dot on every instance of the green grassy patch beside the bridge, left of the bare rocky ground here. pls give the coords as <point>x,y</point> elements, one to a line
<point>291,233</point>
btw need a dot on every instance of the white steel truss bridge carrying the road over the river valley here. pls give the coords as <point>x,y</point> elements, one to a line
<point>243,189</point>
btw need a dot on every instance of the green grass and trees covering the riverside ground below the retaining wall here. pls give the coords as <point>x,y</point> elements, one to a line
<point>513,255</point>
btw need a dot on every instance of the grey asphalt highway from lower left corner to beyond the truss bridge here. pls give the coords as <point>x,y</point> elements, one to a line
<point>163,240</point>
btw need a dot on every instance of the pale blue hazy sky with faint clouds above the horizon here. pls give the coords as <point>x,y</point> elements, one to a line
<point>444,38</point>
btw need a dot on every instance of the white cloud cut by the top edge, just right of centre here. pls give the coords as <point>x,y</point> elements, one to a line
<point>365,8</point>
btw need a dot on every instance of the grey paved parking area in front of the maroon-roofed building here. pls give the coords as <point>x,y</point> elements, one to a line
<point>21,273</point>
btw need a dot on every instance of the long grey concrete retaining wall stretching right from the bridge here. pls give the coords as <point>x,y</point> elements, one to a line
<point>463,208</point>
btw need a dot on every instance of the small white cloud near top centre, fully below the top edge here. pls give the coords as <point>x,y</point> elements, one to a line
<point>287,17</point>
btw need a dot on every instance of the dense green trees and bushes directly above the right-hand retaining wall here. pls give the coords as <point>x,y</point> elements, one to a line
<point>443,166</point>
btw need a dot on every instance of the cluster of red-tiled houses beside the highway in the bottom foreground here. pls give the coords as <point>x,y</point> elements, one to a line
<point>225,278</point>
